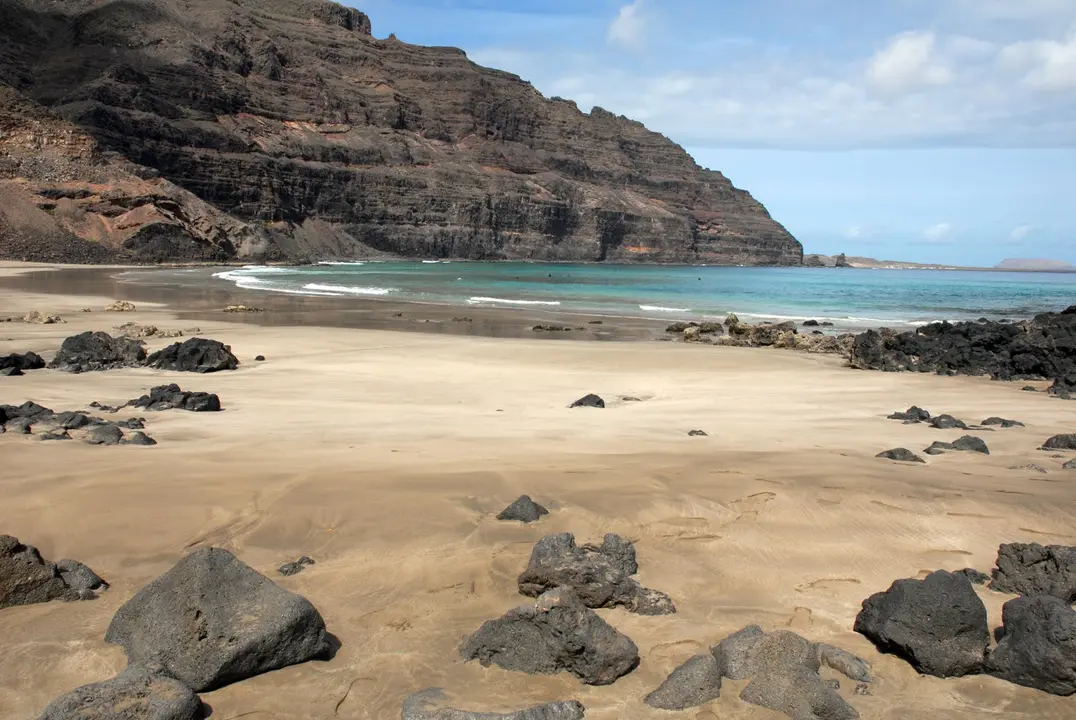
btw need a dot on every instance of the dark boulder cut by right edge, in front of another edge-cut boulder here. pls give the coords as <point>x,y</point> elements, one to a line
<point>1039,646</point>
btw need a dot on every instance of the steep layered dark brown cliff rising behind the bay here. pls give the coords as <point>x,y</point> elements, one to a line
<point>282,130</point>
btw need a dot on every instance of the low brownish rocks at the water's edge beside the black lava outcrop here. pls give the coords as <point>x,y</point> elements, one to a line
<point>763,335</point>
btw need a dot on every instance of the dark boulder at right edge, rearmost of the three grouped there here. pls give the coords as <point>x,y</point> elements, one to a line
<point>1035,570</point>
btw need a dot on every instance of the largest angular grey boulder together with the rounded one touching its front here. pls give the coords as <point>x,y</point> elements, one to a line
<point>208,623</point>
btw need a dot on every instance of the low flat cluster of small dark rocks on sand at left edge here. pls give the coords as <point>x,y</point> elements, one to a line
<point>46,425</point>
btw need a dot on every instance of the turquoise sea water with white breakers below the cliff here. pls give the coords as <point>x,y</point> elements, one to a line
<point>846,298</point>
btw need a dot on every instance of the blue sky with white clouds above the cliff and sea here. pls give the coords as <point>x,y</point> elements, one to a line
<point>933,131</point>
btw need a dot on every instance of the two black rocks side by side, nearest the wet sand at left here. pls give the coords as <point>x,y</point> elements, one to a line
<point>93,351</point>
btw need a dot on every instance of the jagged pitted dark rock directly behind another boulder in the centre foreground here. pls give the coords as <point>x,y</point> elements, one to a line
<point>601,576</point>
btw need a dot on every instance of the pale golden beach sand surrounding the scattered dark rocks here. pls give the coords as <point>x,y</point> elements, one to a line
<point>386,457</point>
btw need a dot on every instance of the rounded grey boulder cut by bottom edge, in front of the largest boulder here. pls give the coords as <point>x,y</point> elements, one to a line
<point>138,694</point>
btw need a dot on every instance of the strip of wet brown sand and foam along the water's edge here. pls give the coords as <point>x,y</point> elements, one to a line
<point>207,295</point>
